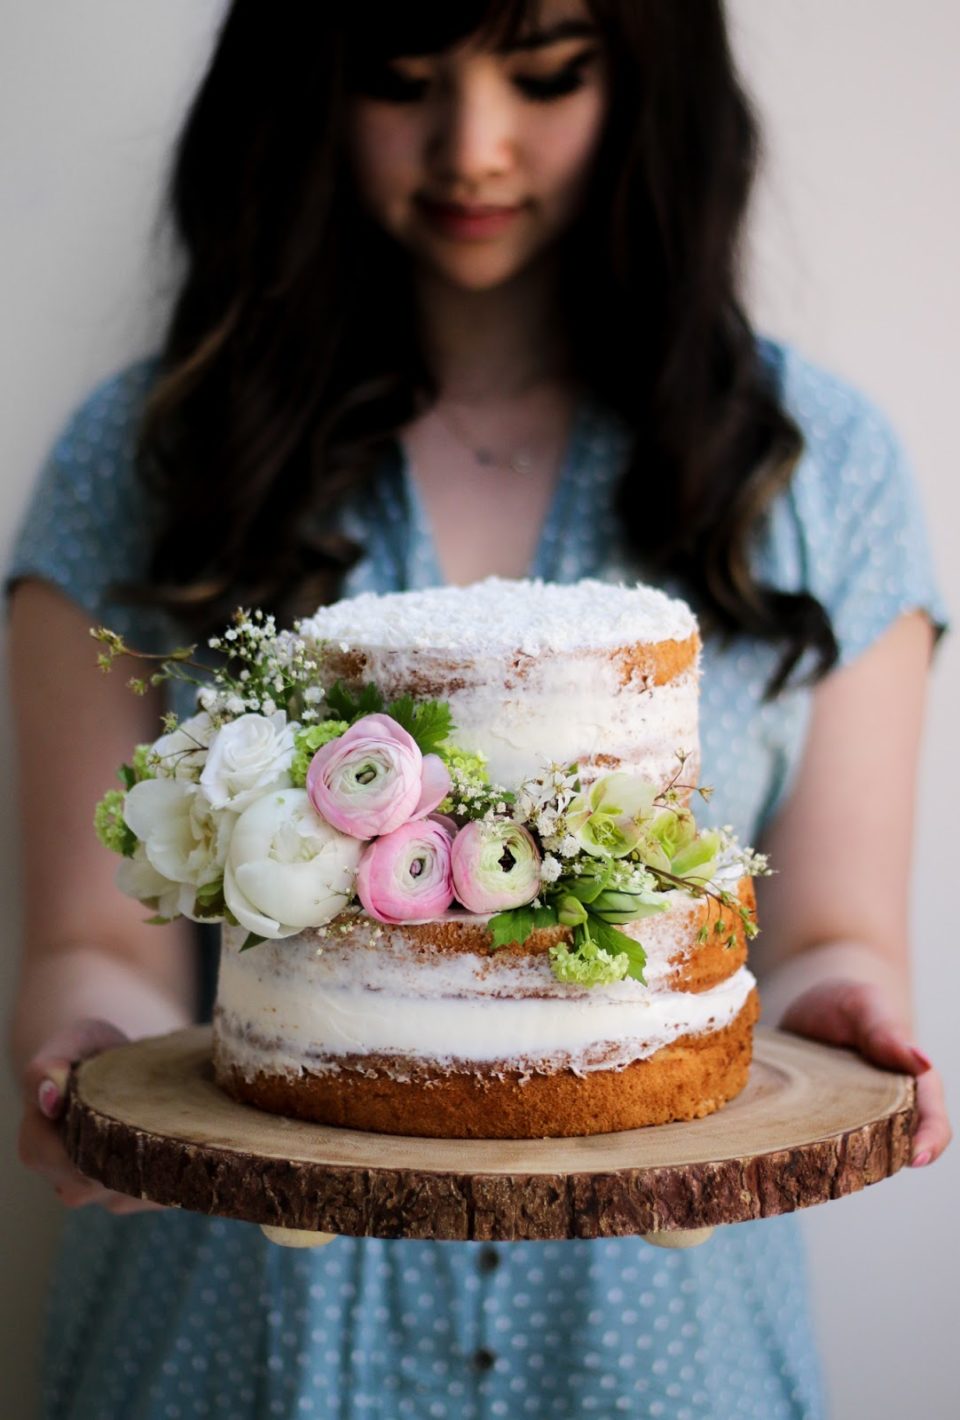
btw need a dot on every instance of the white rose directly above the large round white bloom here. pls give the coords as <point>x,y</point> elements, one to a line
<point>248,758</point>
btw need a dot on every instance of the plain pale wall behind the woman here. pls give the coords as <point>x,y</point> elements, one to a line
<point>856,259</point>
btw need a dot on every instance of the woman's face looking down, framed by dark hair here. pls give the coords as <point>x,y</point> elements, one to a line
<point>476,160</point>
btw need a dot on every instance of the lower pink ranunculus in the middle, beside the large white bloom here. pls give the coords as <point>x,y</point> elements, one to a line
<point>407,874</point>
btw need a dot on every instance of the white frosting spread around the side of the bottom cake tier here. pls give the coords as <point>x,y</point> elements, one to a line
<point>283,1007</point>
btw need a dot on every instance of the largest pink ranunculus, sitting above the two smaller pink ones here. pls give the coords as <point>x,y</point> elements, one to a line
<point>373,779</point>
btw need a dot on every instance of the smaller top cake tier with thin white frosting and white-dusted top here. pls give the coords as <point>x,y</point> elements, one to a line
<point>591,674</point>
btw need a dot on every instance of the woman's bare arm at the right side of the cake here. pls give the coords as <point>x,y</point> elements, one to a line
<point>833,955</point>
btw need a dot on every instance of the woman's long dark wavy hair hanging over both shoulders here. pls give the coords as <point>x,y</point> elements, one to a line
<point>292,359</point>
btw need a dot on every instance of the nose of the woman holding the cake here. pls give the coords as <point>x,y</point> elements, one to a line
<point>474,137</point>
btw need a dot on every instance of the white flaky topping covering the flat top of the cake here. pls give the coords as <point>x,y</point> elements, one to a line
<point>499,616</point>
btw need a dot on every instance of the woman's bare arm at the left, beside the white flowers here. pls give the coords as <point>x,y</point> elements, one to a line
<point>93,972</point>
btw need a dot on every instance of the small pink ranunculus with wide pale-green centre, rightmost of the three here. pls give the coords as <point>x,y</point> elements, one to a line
<point>496,865</point>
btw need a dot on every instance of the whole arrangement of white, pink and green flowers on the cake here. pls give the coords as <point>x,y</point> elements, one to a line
<point>288,804</point>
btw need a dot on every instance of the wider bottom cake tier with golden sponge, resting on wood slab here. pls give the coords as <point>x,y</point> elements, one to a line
<point>422,1030</point>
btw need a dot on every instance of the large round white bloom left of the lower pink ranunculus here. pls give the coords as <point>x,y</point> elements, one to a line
<point>288,868</point>
